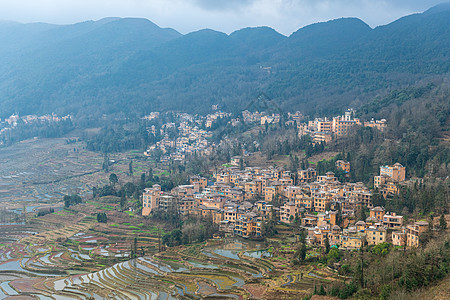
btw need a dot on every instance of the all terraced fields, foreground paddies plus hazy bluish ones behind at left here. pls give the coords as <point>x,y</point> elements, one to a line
<point>69,255</point>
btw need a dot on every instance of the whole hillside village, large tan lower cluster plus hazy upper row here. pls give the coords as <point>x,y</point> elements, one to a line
<point>242,200</point>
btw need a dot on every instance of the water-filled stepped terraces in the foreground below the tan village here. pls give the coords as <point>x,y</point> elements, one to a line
<point>69,255</point>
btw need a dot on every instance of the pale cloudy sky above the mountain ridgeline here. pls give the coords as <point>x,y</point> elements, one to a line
<point>286,16</point>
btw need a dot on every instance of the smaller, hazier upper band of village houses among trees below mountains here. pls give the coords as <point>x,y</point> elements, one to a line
<point>188,135</point>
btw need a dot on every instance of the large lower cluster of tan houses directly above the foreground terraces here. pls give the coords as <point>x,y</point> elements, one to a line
<point>241,201</point>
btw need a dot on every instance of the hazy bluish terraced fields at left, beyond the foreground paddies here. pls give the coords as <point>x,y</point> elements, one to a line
<point>43,170</point>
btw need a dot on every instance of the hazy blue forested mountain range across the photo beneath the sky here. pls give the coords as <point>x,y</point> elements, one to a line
<point>132,66</point>
